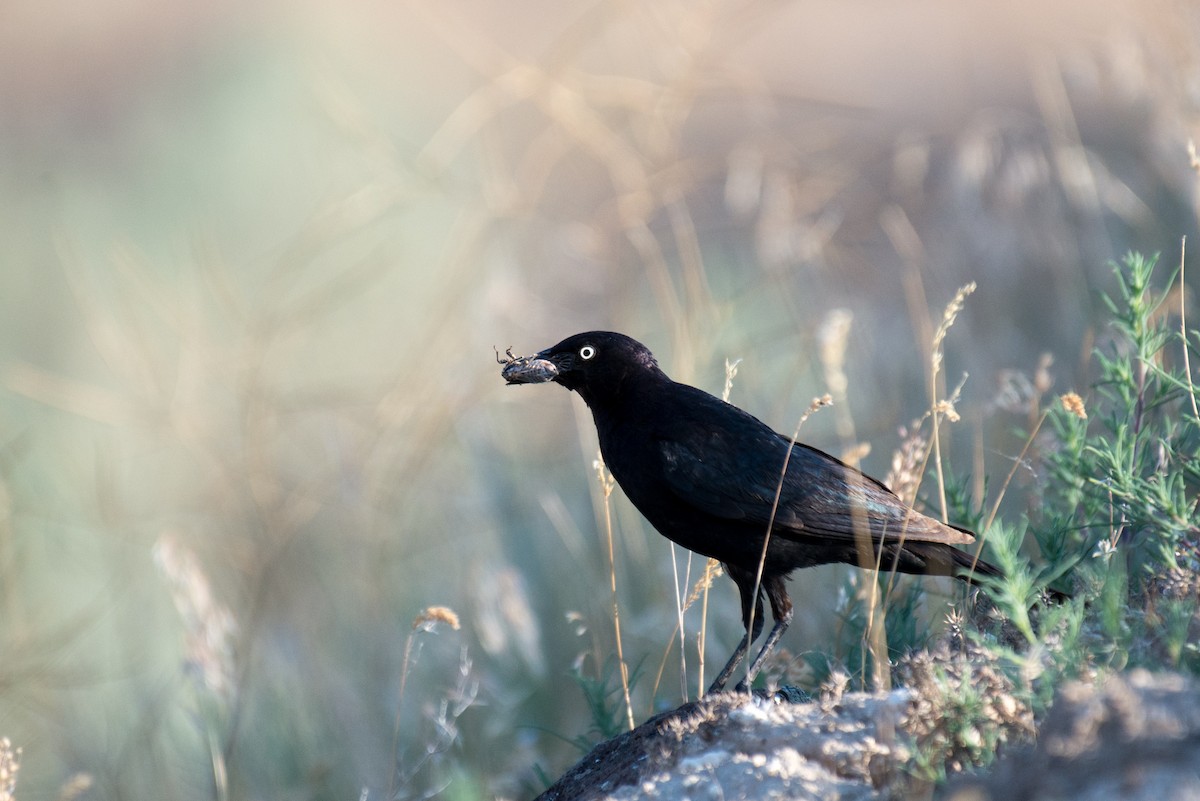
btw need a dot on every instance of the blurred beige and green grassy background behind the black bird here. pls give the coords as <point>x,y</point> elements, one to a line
<point>256,261</point>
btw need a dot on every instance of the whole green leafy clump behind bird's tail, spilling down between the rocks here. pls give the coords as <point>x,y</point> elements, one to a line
<point>1117,519</point>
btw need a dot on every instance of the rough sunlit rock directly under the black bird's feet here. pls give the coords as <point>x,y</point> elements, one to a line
<point>734,746</point>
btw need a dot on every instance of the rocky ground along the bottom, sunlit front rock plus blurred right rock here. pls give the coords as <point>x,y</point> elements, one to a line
<point>1132,737</point>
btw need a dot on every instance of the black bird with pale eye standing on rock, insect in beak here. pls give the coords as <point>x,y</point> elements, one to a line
<point>706,475</point>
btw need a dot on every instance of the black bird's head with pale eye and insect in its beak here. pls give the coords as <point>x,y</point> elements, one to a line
<point>597,365</point>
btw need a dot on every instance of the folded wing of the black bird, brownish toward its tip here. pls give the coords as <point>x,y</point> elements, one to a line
<point>737,475</point>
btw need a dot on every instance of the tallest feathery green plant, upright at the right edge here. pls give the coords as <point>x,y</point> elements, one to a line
<point>1132,477</point>
